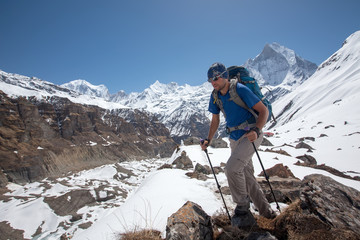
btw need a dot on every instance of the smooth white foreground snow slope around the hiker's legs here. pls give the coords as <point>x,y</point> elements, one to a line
<point>165,191</point>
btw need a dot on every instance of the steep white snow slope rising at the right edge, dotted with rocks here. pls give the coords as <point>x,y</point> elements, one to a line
<point>327,103</point>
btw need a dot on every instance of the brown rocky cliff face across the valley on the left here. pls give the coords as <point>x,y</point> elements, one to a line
<point>46,138</point>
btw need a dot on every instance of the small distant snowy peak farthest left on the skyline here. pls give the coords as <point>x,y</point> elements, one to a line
<point>86,88</point>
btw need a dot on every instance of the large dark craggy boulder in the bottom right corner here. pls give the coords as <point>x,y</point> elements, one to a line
<point>326,210</point>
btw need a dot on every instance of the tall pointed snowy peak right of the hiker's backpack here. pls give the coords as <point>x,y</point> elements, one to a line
<point>278,65</point>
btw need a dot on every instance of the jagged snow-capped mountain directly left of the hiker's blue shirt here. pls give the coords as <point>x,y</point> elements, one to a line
<point>183,109</point>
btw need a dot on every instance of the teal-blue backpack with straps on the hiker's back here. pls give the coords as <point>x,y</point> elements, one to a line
<point>241,74</point>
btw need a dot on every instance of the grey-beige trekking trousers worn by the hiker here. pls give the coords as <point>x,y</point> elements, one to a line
<point>239,171</point>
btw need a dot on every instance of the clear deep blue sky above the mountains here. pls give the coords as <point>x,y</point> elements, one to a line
<point>128,45</point>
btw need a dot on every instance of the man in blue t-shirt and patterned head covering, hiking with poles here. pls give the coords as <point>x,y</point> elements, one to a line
<point>239,168</point>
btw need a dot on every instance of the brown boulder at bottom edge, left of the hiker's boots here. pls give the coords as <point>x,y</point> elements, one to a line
<point>189,222</point>
